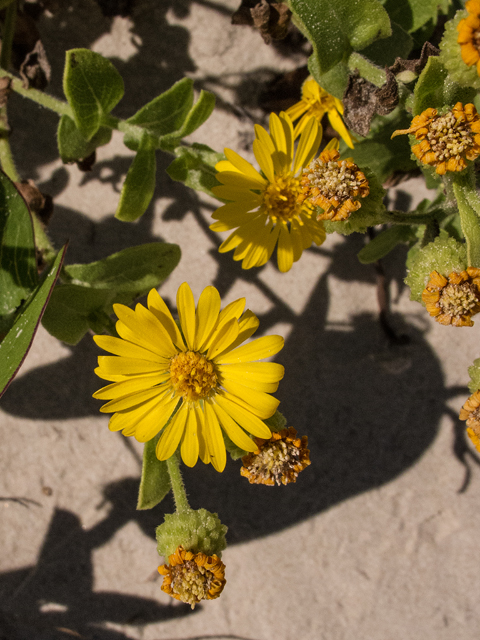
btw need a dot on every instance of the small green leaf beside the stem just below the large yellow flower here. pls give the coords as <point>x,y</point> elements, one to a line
<point>155,481</point>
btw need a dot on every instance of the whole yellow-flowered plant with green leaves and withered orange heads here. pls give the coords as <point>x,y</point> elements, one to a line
<point>400,97</point>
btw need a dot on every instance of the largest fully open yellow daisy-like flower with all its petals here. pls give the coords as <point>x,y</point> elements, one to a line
<point>192,382</point>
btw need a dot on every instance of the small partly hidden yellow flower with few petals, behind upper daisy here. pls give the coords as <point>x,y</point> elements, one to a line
<point>317,102</point>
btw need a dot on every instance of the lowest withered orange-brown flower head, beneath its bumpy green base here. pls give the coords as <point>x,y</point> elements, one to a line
<point>191,577</point>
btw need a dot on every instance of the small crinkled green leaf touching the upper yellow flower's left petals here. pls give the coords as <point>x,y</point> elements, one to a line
<point>195,167</point>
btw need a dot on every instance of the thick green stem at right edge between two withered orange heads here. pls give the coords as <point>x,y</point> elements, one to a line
<point>468,202</point>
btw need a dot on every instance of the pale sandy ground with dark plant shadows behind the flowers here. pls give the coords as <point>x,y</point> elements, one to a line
<point>376,541</point>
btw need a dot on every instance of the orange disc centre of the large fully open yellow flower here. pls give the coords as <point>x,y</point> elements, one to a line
<point>192,375</point>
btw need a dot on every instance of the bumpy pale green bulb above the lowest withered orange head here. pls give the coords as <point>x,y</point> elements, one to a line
<point>195,530</point>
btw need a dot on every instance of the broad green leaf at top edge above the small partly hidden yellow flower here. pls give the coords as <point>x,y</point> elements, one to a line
<point>337,28</point>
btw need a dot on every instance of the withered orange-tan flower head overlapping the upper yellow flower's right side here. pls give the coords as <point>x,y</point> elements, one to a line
<point>334,185</point>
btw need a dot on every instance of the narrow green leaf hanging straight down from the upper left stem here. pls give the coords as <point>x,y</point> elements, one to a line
<point>139,185</point>
